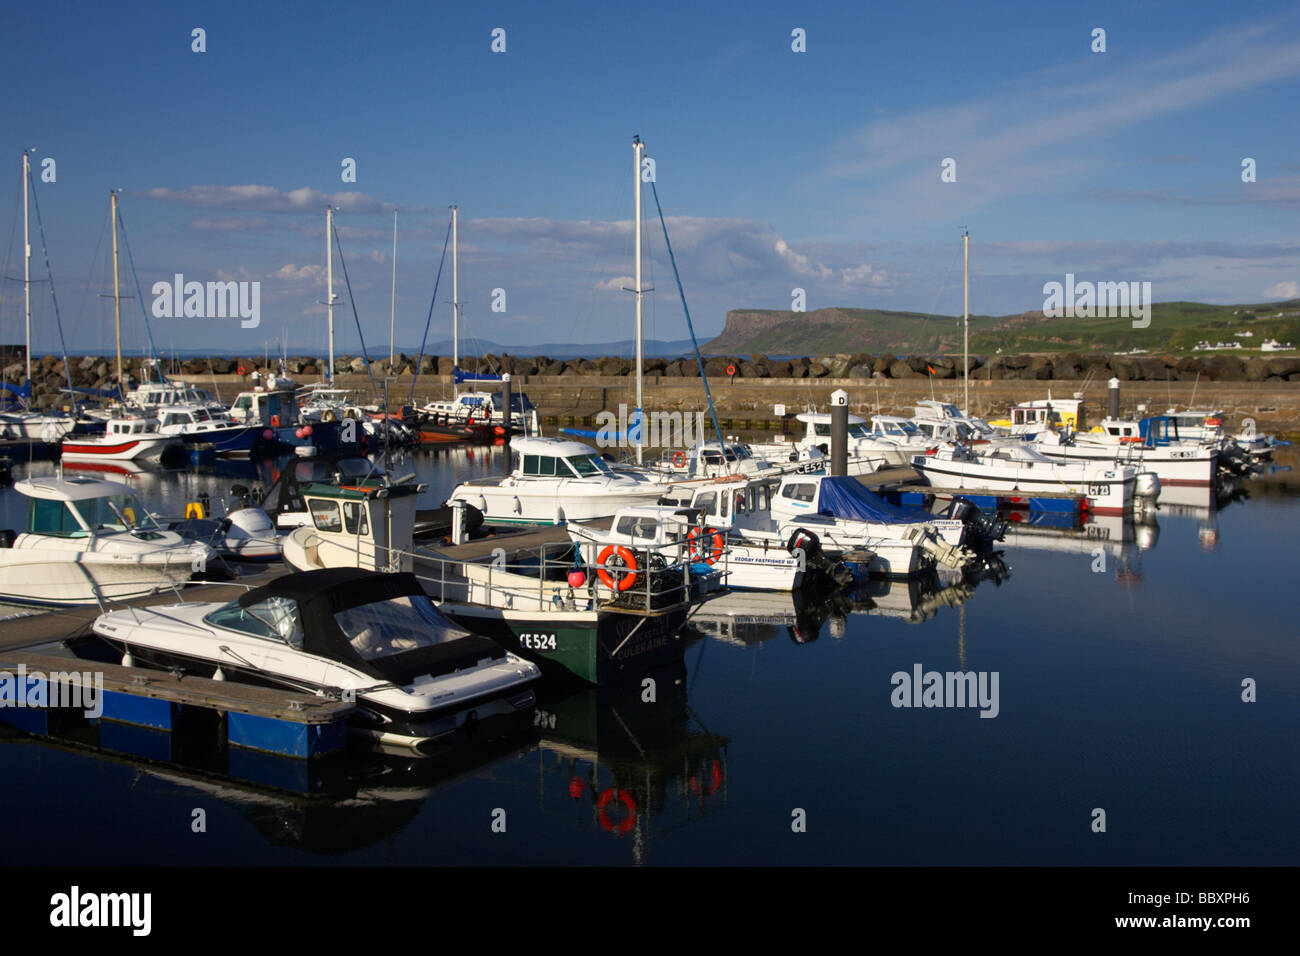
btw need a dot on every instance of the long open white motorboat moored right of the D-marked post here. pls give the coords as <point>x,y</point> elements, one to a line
<point>1022,470</point>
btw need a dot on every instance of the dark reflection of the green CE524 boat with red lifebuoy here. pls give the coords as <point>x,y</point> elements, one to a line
<point>626,768</point>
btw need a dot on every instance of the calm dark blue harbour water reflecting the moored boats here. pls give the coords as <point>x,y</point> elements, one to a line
<point>1119,689</point>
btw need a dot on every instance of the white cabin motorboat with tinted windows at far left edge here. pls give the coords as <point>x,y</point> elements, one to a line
<point>89,540</point>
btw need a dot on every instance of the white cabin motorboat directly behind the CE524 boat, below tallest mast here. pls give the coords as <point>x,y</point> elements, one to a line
<point>553,482</point>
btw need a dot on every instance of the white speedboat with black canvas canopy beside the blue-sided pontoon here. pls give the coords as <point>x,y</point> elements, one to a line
<point>378,638</point>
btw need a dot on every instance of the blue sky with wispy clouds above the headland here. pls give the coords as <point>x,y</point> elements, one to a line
<point>778,170</point>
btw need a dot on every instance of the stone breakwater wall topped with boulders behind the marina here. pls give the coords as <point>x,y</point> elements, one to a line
<point>573,392</point>
